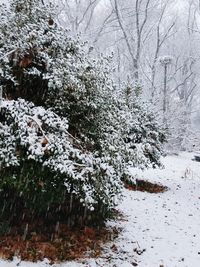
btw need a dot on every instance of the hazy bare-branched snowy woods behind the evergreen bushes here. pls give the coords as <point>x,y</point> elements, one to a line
<point>154,45</point>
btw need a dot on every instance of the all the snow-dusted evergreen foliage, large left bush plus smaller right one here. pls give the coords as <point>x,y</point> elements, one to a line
<point>66,135</point>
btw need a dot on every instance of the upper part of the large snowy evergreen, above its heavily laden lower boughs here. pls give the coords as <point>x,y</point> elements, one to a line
<point>41,63</point>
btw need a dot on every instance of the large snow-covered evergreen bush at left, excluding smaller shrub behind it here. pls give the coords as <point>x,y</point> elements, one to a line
<point>54,93</point>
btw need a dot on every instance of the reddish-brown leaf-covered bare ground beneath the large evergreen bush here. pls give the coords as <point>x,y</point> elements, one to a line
<point>36,242</point>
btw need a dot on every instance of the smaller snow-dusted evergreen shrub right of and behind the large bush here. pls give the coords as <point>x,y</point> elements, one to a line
<point>132,136</point>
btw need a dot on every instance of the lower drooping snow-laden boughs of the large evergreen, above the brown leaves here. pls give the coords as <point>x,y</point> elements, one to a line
<point>44,164</point>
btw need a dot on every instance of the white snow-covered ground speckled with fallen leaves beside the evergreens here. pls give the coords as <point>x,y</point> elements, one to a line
<point>166,225</point>
